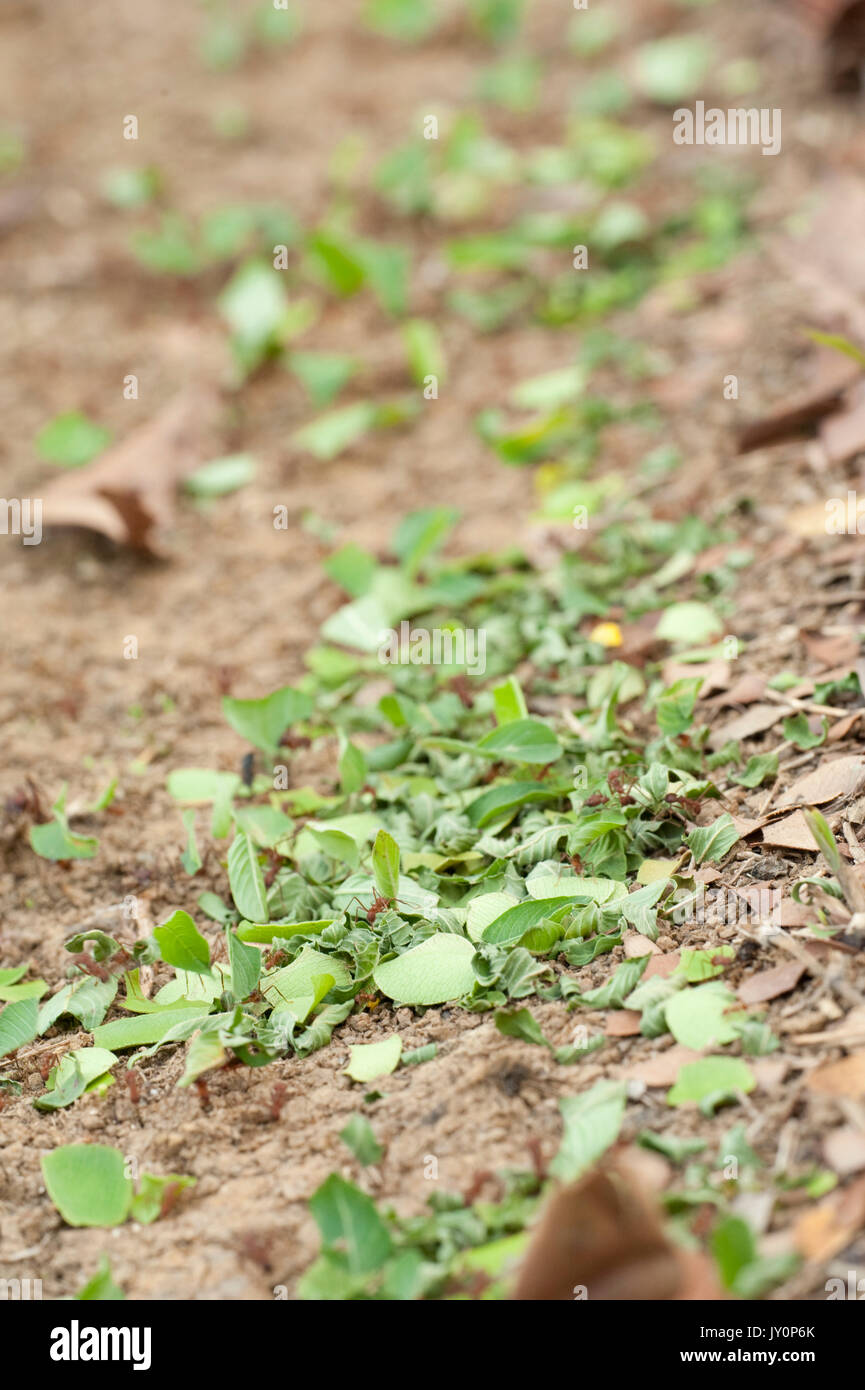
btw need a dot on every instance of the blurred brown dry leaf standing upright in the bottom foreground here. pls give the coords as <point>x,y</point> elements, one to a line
<point>604,1235</point>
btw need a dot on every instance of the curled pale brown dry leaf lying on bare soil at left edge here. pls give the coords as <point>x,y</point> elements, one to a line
<point>129,494</point>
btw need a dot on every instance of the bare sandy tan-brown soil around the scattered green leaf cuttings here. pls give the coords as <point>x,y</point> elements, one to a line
<point>239,603</point>
